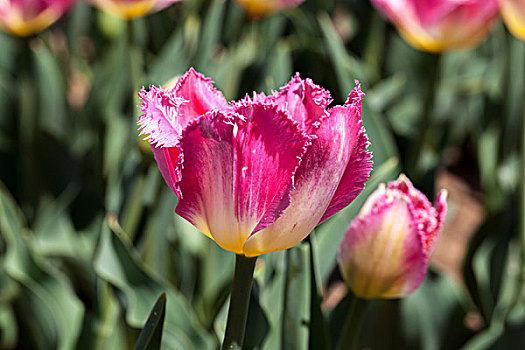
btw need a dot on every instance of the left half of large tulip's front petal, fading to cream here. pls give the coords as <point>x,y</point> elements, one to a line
<point>207,182</point>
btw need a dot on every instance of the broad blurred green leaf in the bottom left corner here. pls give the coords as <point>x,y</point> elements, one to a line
<point>52,312</point>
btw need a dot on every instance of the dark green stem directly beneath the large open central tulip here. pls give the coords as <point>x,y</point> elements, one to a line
<point>239,302</point>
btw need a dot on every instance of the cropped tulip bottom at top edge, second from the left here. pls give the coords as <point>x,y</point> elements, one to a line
<point>129,9</point>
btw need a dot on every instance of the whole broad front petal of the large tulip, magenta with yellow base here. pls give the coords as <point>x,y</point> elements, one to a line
<point>236,179</point>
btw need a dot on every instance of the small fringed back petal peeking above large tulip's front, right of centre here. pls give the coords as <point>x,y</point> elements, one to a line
<point>305,102</point>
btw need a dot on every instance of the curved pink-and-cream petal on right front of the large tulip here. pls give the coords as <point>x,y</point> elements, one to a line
<point>317,180</point>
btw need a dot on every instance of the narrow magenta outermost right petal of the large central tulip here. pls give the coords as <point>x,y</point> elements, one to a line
<point>359,165</point>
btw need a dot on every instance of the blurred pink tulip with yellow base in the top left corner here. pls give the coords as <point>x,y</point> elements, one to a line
<point>26,17</point>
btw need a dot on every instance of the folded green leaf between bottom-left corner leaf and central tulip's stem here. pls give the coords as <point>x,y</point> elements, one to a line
<point>117,263</point>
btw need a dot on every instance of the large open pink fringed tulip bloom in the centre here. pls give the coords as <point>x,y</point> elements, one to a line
<point>256,175</point>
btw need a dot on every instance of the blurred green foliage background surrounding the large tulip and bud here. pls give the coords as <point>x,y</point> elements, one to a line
<point>88,237</point>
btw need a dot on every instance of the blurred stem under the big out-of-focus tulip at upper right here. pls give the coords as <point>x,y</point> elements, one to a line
<point>426,121</point>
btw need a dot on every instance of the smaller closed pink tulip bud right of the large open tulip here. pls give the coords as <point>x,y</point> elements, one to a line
<point>386,249</point>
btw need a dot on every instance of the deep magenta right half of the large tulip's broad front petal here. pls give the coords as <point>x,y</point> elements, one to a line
<point>267,167</point>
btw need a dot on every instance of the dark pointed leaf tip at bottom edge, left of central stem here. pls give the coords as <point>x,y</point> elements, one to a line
<point>151,335</point>
